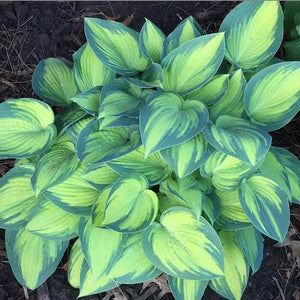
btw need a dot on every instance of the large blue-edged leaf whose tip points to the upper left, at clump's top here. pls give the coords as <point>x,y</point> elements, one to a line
<point>116,45</point>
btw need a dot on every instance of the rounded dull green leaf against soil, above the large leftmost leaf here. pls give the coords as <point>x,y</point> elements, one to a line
<point>52,80</point>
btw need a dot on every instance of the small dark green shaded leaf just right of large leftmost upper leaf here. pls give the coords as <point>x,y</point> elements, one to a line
<point>70,116</point>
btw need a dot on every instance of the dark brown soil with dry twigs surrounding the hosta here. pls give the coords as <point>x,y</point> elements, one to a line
<point>31,31</point>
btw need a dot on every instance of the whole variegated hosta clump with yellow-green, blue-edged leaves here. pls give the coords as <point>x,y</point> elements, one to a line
<point>161,160</point>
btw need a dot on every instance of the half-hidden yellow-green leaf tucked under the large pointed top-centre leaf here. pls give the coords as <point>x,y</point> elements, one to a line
<point>213,91</point>
